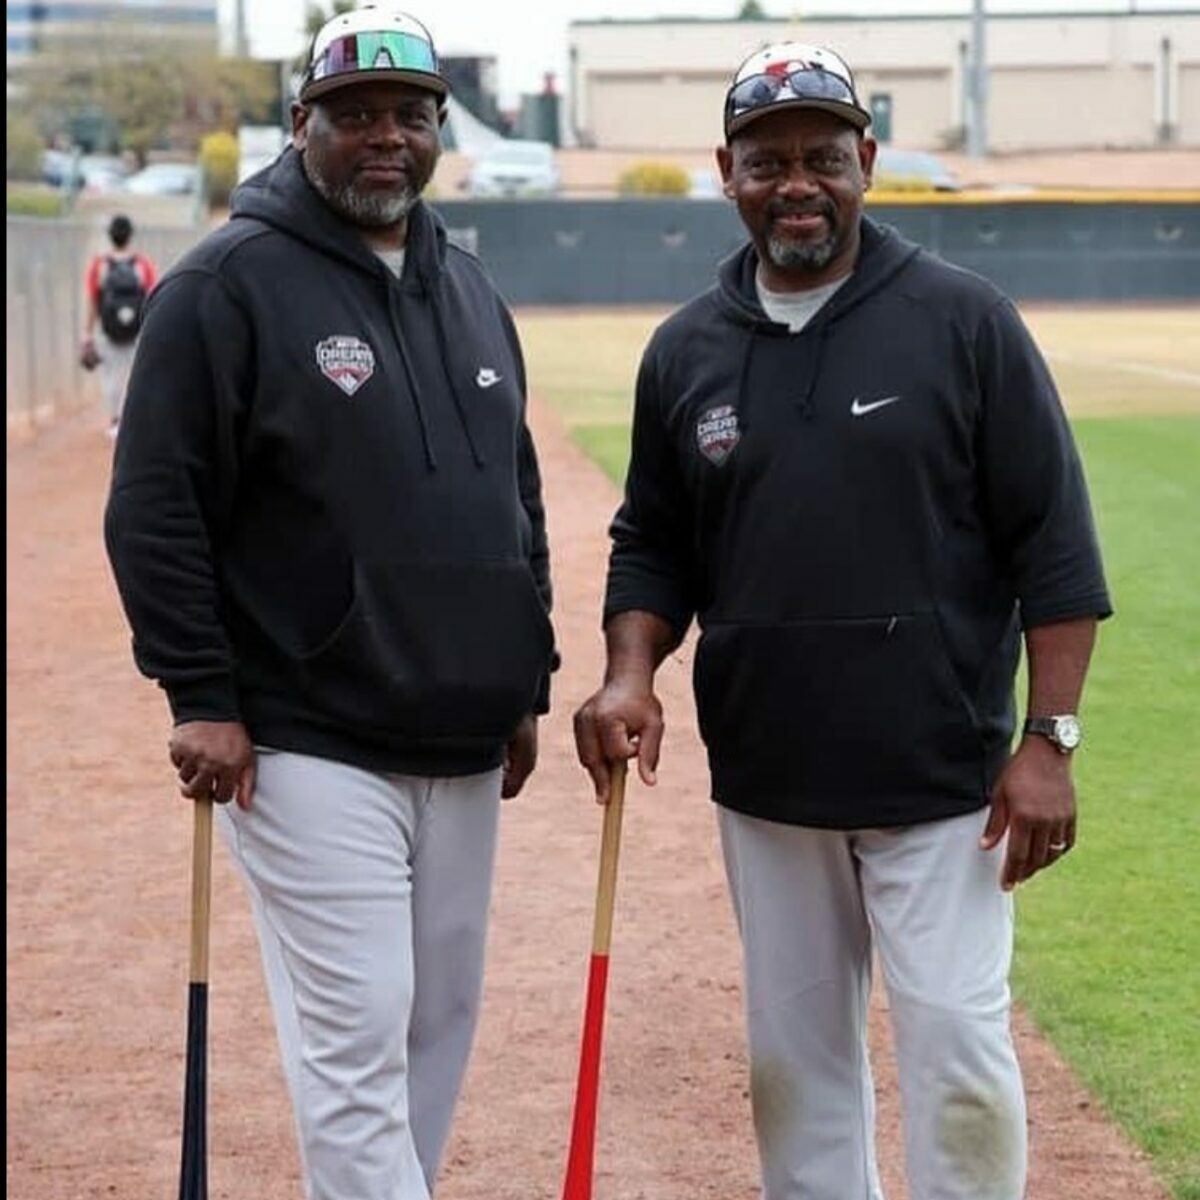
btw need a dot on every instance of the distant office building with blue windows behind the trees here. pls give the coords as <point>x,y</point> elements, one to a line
<point>33,28</point>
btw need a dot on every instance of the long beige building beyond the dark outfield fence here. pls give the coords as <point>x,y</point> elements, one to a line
<point>1060,81</point>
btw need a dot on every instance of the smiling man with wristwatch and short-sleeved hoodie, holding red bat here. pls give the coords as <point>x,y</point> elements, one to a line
<point>851,466</point>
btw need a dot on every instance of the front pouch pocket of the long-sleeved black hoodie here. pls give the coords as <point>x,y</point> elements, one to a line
<point>434,652</point>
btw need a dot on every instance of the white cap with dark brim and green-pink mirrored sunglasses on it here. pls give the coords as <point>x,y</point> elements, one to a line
<point>369,45</point>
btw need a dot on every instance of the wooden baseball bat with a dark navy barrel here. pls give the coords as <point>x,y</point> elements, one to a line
<point>194,1178</point>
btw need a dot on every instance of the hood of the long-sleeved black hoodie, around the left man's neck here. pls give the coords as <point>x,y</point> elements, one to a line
<point>283,197</point>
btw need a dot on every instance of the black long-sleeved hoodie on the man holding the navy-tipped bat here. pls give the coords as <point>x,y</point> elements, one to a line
<point>326,518</point>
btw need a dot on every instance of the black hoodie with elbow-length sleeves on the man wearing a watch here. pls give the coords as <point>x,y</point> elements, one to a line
<point>862,515</point>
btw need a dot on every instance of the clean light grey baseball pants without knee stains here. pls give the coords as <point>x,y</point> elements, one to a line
<point>370,895</point>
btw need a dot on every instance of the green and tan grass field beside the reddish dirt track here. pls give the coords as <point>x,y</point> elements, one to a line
<point>1108,958</point>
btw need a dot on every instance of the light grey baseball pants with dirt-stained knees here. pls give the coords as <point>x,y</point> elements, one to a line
<point>811,904</point>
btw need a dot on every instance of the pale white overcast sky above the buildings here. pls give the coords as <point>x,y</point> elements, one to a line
<point>530,37</point>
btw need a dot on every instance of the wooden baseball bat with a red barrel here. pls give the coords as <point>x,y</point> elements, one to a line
<point>587,1089</point>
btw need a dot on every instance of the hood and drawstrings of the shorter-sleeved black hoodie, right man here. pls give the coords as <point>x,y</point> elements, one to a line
<point>883,255</point>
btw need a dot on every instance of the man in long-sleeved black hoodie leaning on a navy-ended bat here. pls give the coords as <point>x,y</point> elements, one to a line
<point>327,526</point>
